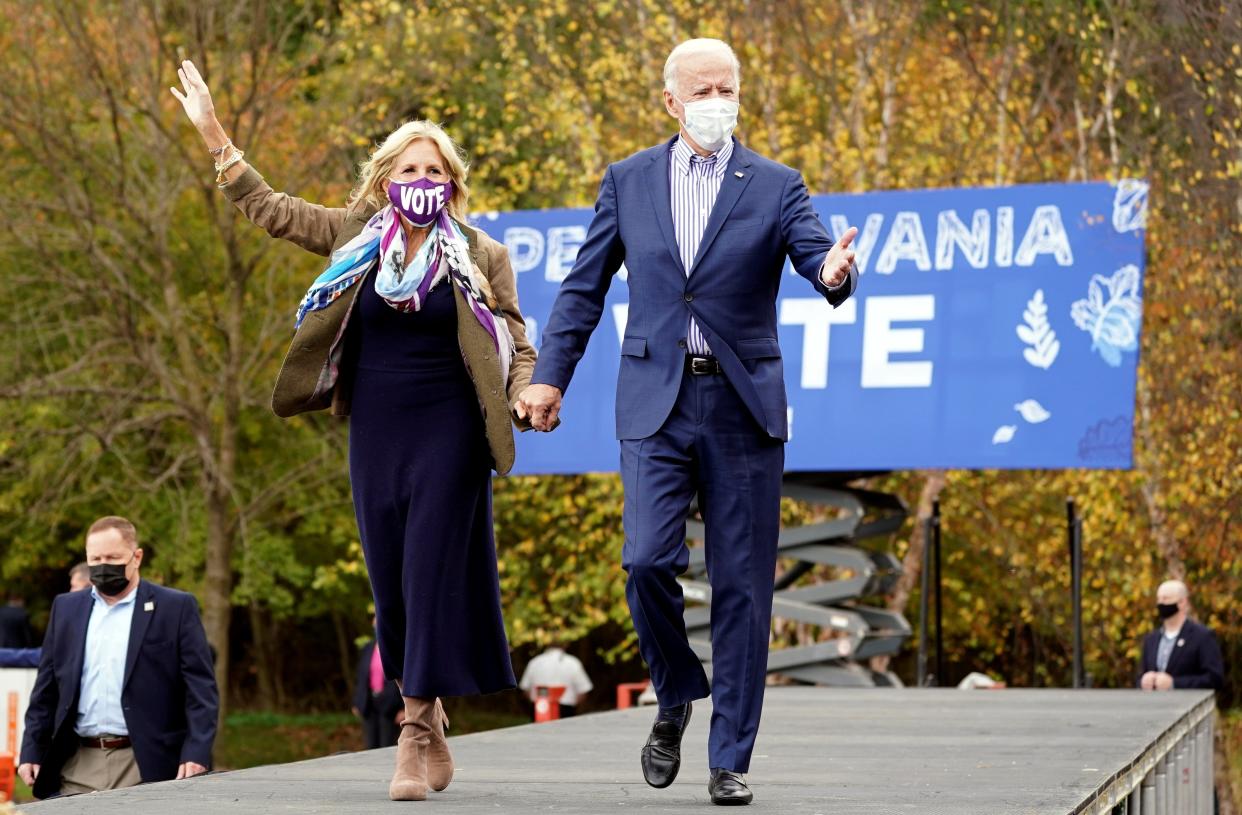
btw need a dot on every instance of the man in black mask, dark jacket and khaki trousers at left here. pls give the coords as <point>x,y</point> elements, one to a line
<point>126,691</point>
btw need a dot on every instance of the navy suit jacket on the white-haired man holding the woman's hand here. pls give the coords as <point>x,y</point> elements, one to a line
<point>763,216</point>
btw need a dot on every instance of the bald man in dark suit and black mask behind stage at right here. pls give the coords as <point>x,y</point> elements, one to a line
<point>1181,654</point>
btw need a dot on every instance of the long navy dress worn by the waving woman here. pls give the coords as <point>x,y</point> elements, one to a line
<point>420,470</point>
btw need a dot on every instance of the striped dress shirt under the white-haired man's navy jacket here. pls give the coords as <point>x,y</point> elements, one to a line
<point>695,182</point>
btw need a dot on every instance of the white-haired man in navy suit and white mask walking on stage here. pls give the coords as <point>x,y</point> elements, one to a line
<point>704,227</point>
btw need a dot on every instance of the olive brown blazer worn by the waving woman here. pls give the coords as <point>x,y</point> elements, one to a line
<point>316,375</point>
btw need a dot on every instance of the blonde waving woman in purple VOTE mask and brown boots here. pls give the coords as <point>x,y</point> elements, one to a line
<point>413,332</point>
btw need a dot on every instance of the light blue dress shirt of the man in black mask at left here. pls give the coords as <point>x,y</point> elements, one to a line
<point>104,668</point>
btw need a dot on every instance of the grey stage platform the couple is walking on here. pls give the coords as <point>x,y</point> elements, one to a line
<point>836,752</point>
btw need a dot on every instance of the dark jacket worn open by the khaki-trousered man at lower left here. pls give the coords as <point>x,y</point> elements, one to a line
<point>168,695</point>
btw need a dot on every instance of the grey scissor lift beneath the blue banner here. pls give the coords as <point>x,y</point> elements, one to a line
<point>851,632</point>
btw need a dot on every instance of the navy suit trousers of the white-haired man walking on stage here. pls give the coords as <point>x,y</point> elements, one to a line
<point>710,445</point>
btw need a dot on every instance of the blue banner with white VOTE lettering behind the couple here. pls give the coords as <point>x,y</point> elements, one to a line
<point>992,329</point>
